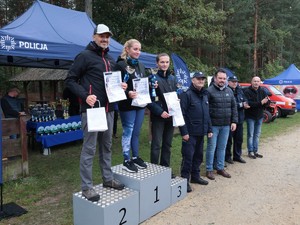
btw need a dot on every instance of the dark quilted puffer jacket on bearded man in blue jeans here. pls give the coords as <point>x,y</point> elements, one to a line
<point>222,106</point>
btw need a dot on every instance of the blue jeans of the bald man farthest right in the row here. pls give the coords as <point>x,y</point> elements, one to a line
<point>253,134</point>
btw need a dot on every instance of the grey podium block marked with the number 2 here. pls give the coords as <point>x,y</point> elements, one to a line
<point>114,207</point>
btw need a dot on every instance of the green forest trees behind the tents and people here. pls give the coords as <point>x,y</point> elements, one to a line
<point>250,37</point>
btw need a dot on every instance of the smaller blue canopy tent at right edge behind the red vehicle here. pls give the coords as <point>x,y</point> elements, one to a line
<point>288,82</point>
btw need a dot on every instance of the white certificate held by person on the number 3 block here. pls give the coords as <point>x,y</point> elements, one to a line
<point>174,108</point>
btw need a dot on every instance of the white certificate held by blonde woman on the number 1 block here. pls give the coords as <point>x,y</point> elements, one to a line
<point>141,86</point>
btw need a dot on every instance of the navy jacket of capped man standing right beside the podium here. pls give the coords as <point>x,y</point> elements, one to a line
<point>195,111</point>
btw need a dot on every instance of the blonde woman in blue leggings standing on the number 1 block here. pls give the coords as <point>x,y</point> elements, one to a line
<point>131,116</point>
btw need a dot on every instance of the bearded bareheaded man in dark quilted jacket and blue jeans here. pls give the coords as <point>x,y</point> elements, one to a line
<point>223,113</point>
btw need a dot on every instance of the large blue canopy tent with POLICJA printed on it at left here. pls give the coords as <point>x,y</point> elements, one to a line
<point>49,36</point>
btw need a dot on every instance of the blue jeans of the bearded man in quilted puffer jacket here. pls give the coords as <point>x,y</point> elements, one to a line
<point>217,143</point>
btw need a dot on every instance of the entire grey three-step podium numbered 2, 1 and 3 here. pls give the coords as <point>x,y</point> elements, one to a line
<point>147,192</point>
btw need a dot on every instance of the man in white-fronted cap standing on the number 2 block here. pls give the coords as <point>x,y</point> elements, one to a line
<point>88,68</point>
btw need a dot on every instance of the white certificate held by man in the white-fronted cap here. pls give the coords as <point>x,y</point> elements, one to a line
<point>113,86</point>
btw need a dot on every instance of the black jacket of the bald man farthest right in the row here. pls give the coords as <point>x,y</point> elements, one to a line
<point>254,100</point>
